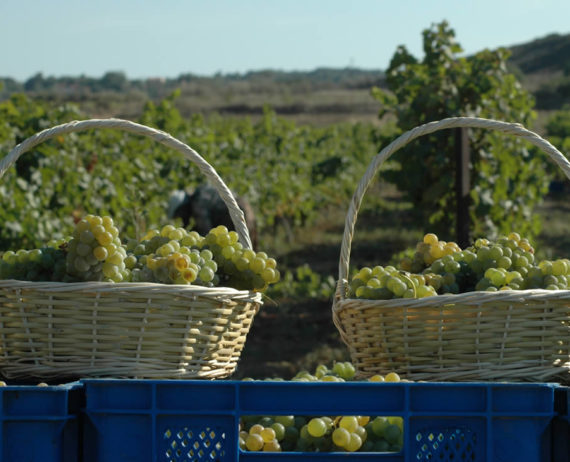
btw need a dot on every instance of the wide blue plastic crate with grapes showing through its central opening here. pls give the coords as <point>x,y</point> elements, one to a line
<point>131,420</point>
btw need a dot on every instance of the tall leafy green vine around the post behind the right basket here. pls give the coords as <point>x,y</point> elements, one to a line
<point>508,180</point>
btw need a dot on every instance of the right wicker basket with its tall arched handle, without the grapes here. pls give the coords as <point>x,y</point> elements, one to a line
<point>477,336</point>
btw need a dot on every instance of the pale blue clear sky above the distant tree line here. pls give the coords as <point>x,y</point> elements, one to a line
<point>170,37</point>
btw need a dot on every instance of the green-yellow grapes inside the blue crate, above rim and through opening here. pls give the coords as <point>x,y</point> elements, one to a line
<point>324,433</point>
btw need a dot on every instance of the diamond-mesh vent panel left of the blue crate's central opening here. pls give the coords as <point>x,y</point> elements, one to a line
<point>189,445</point>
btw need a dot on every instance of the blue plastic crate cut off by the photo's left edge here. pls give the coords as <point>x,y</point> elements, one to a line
<point>40,423</point>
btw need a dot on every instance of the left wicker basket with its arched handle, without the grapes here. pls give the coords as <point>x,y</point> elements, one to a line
<point>136,330</point>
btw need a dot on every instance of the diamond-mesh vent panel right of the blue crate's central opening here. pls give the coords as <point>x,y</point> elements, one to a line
<point>449,445</point>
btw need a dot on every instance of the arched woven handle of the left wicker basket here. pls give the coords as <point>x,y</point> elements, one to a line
<point>161,137</point>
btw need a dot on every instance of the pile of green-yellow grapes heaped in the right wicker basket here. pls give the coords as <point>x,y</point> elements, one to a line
<point>439,267</point>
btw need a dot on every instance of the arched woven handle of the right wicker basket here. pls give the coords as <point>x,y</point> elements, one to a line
<point>401,141</point>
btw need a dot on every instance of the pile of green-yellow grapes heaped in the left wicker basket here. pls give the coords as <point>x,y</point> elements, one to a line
<point>169,255</point>
